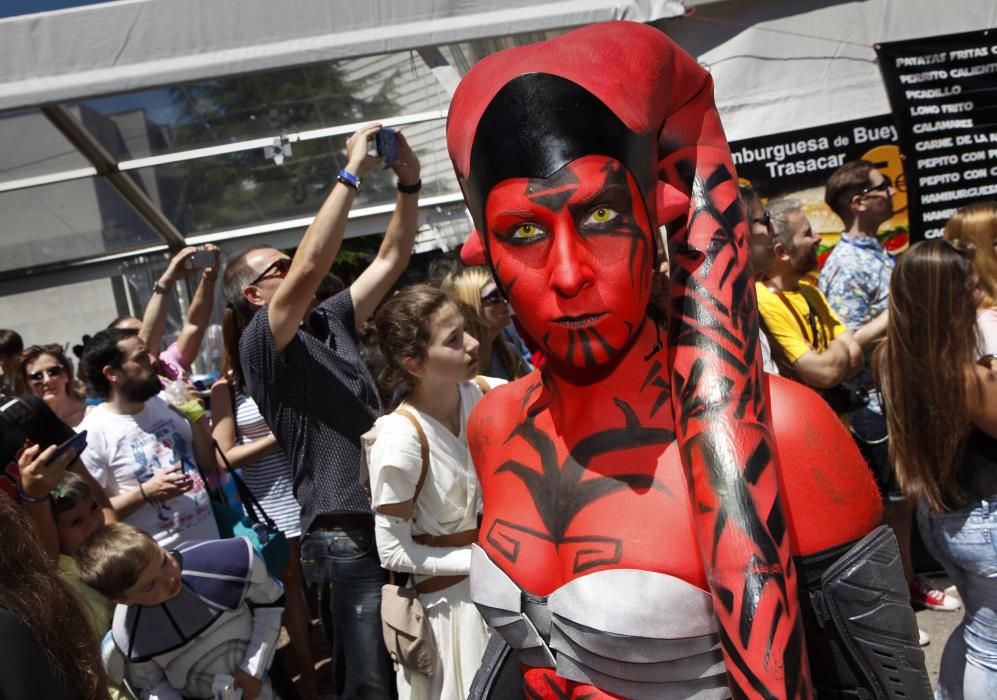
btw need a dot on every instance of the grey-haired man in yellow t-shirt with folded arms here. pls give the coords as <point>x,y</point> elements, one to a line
<point>812,345</point>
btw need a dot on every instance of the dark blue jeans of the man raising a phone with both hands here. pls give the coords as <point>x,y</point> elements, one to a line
<point>345,563</point>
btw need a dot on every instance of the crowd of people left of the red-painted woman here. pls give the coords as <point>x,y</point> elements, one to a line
<point>150,452</point>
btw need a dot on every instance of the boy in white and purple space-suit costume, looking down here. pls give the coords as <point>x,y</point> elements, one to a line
<point>207,608</point>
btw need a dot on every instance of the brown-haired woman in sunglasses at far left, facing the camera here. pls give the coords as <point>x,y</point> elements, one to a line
<point>46,371</point>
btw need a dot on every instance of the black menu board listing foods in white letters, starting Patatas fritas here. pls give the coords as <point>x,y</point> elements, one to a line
<point>943,92</point>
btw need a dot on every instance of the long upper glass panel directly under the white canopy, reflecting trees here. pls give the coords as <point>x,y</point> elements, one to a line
<point>220,111</point>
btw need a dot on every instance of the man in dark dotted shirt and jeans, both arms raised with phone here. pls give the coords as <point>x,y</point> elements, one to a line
<point>303,368</point>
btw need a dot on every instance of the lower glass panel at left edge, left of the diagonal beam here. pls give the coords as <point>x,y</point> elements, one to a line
<point>66,221</point>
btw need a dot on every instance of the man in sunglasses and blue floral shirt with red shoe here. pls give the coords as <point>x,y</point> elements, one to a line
<point>856,281</point>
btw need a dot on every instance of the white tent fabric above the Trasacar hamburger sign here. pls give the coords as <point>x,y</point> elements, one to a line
<point>782,66</point>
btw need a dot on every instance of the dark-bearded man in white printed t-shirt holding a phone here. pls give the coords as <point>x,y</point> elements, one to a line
<point>143,453</point>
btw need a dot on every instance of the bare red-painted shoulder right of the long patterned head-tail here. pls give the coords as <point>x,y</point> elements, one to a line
<point>829,493</point>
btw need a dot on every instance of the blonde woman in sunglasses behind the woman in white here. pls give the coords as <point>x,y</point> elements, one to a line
<point>497,354</point>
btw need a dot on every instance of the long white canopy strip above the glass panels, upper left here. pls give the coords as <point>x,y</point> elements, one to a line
<point>137,44</point>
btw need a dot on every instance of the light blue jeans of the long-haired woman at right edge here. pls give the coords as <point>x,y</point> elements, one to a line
<point>965,543</point>
